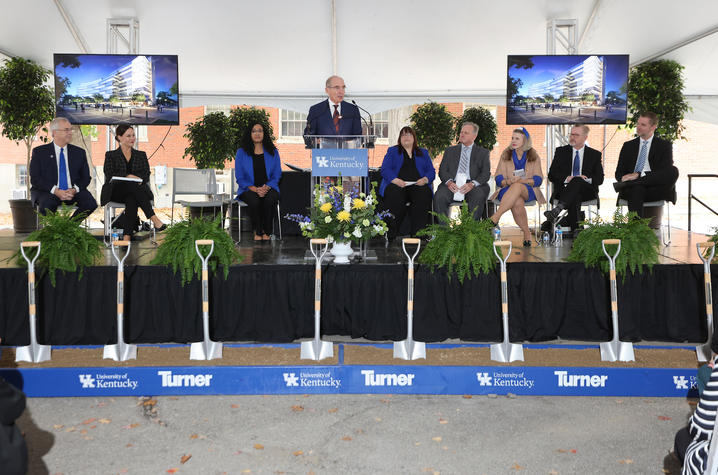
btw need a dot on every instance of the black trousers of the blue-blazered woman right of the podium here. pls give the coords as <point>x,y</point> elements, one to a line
<point>395,200</point>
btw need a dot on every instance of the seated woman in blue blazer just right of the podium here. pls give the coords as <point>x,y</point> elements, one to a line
<point>407,177</point>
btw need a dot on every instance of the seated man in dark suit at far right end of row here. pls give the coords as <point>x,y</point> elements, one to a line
<point>645,170</point>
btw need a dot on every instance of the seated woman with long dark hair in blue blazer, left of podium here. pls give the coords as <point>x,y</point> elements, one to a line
<point>258,170</point>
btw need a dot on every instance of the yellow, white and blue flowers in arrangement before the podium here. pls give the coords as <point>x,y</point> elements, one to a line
<point>341,216</point>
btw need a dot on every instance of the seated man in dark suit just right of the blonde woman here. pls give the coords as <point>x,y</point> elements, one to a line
<point>576,173</point>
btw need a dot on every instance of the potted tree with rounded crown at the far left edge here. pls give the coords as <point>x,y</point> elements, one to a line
<point>26,105</point>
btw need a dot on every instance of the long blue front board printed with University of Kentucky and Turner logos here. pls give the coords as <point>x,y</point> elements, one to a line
<point>345,379</point>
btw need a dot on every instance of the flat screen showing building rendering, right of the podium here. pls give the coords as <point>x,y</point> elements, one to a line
<point>566,89</point>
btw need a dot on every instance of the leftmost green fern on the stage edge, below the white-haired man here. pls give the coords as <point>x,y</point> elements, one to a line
<point>66,244</point>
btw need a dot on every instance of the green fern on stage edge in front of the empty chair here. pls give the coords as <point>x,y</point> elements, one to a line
<point>177,249</point>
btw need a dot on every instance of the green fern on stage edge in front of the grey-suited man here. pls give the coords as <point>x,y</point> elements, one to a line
<point>463,246</point>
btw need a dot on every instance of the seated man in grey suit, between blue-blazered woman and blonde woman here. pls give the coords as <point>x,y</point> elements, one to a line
<point>465,170</point>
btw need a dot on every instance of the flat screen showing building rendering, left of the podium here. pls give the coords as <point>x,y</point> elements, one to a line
<point>108,89</point>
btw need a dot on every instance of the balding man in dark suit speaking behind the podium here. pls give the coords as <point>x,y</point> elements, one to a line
<point>334,116</point>
